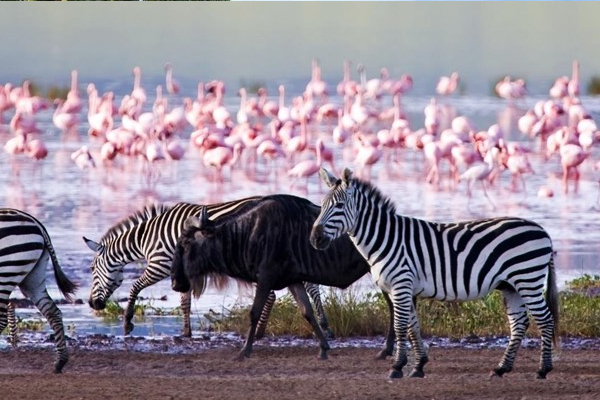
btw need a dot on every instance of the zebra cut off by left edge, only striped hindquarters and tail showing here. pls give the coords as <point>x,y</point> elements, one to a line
<point>24,251</point>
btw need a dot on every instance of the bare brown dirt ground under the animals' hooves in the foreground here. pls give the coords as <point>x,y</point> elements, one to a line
<point>289,372</point>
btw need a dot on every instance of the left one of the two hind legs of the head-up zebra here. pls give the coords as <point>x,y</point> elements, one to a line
<point>519,322</point>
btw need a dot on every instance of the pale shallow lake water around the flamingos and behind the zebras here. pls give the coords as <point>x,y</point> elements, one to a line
<point>73,203</point>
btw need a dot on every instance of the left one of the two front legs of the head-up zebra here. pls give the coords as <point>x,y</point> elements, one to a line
<point>402,302</point>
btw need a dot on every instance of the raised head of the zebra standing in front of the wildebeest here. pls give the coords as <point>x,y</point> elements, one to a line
<point>338,210</point>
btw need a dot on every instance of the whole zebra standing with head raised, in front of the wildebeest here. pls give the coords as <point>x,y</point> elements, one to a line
<point>412,258</point>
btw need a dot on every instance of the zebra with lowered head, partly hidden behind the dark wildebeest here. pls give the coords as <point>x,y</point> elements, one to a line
<point>151,234</point>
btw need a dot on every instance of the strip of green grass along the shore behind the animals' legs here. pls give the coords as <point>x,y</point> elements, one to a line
<point>351,315</point>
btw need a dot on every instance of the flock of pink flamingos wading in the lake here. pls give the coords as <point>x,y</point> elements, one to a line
<point>310,130</point>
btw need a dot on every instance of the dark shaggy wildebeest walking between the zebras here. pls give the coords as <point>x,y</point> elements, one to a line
<point>267,243</point>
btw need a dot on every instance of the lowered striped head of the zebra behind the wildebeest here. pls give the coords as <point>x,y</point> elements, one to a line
<point>106,277</point>
